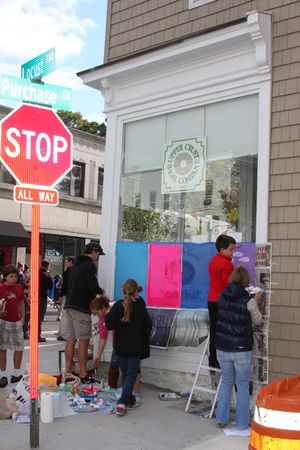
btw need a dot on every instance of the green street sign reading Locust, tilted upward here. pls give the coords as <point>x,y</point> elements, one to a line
<point>39,66</point>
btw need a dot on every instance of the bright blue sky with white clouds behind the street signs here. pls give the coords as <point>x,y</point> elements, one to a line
<point>76,28</point>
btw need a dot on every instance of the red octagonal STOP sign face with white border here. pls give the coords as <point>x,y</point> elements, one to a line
<point>35,145</point>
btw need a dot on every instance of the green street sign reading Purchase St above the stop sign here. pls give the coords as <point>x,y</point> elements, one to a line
<point>19,90</point>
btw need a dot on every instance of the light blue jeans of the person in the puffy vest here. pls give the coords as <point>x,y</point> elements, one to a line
<point>236,369</point>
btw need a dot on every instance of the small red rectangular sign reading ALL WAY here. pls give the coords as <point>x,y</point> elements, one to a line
<point>35,195</point>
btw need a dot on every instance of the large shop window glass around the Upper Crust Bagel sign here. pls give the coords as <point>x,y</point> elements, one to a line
<point>227,200</point>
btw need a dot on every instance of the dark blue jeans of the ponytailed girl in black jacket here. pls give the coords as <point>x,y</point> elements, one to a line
<point>129,368</point>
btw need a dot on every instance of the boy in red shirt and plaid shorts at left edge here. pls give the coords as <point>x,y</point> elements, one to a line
<point>12,313</point>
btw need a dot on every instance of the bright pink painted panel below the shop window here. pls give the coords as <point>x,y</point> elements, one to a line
<point>164,275</point>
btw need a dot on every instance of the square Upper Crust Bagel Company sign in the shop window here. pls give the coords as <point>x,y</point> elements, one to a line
<point>184,166</point>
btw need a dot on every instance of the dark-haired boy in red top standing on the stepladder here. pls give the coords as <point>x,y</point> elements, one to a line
<point>219,268</point>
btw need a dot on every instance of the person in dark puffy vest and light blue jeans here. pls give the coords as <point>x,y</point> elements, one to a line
<point>237,311</point>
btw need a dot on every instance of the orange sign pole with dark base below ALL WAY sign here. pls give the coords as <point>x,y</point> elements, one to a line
<point>34,326</point>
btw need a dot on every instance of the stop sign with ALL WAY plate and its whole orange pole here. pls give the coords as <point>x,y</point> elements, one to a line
<point>36,148</point>
